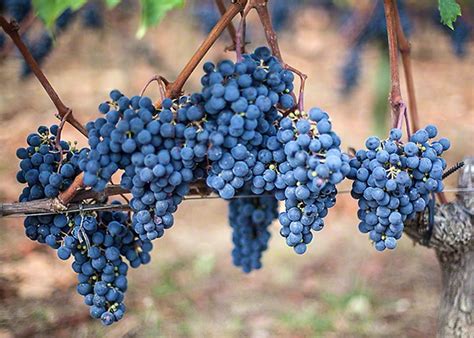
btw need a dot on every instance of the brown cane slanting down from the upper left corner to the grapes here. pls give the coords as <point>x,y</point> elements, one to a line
<point>11,28</point>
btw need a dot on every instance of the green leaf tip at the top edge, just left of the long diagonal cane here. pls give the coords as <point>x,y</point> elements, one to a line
<point>153,11</point>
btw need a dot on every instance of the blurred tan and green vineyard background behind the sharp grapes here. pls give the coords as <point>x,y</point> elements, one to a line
<point>341,287</point>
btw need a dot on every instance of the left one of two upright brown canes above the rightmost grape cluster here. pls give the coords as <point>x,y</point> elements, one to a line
<point>395,93</point>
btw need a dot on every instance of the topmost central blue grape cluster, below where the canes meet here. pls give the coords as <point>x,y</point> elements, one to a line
<point>242,103</point>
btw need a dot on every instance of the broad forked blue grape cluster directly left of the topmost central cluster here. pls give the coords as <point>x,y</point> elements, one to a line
<point>148,145</point>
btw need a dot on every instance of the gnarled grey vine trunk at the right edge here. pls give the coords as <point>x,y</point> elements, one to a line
<point>452,238</point>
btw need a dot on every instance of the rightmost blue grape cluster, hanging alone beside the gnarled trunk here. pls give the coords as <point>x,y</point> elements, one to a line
<point>393,181</point>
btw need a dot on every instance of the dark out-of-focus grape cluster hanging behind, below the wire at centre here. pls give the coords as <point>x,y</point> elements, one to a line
<point>250,219</point>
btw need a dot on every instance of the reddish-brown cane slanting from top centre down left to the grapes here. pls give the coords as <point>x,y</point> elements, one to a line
<point>175,88</point>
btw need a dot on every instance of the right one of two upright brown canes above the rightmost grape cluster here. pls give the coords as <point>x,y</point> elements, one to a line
<point>405,49</point>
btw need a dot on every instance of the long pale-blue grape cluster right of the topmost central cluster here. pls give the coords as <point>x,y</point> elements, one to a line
<point>306,179</point>
